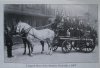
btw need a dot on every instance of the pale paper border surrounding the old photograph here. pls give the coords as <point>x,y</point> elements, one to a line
<point>14,65</point>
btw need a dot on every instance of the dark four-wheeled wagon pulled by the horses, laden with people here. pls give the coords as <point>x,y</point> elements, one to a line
<point>67,42</point>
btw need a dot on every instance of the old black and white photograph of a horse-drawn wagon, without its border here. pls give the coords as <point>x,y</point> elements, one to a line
<point>51,33</point>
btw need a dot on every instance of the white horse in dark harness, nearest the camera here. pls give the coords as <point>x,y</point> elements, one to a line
<point>45,35</point>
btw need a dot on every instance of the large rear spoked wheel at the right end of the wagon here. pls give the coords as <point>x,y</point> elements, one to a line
<point>88,47</point>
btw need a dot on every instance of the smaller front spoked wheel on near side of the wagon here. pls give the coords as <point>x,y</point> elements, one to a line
<point>66,47</point>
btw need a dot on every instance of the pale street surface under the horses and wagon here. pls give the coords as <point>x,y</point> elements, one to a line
<point>56,58</point>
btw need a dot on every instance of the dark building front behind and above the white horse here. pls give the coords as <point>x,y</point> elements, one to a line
<point>33,14</point>
